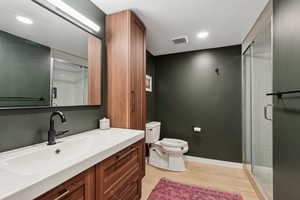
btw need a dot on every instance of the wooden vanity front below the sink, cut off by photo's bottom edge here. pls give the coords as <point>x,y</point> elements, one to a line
<point>81,187</point>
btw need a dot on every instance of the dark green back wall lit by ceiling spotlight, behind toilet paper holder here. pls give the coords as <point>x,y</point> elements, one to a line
<point>190,93</point>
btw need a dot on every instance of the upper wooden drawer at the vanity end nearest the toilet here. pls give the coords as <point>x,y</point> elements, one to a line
<point>119,166</point>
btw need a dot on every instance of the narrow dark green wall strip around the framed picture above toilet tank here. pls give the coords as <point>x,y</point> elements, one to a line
<point>150,69</point>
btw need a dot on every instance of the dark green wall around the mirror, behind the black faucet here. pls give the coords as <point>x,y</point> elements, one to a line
<point>29,126</point>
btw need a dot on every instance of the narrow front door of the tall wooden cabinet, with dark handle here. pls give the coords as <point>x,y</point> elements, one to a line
<point>137,73</point>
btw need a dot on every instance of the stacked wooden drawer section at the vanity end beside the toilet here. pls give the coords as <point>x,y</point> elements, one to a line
<point>119,176</point>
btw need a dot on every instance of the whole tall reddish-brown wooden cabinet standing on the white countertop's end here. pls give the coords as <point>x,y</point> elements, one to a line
<point>126,56</point>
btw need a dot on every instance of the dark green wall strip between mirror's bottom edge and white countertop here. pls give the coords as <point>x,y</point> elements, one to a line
<point>21,128</point>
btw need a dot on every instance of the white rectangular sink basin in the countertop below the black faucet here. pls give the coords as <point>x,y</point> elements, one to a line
<point>45,158</point>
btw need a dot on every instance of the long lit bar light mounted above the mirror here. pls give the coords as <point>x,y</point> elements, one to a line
<point>62,6</point>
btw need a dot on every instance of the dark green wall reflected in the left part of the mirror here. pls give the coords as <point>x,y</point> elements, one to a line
<point>19,60</point>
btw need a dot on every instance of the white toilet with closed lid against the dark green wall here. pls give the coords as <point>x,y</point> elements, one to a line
<point>166,153</point>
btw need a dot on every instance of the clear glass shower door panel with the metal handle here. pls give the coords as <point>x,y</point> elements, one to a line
<point>262,126</point>
